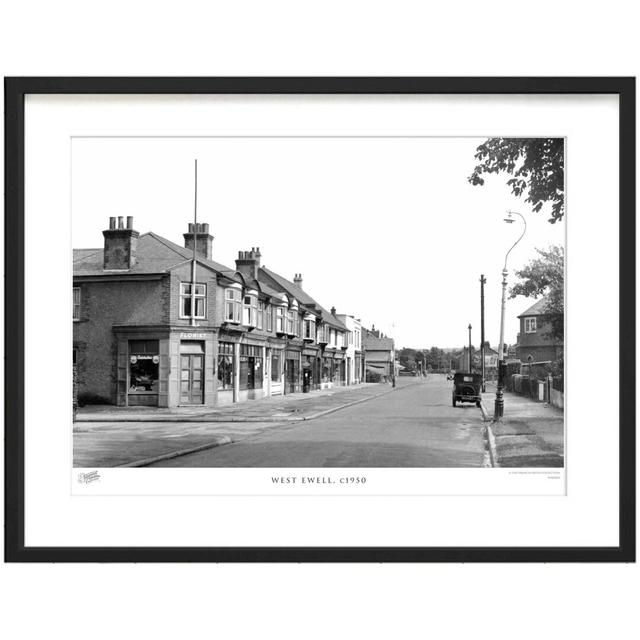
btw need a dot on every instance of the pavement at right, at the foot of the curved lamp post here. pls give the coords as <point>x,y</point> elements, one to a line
<point>530,434</point>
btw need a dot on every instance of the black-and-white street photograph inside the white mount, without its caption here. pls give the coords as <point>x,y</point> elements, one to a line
<point>318,302</point>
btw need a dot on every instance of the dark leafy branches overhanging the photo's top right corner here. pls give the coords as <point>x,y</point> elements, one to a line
<point>535,164</point>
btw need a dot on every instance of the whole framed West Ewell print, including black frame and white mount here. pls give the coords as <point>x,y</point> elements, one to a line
<point>320,319</point>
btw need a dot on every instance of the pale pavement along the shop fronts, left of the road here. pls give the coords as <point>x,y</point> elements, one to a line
<point>107,436</point>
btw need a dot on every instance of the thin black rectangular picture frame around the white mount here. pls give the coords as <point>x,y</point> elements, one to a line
<point>15,91</point>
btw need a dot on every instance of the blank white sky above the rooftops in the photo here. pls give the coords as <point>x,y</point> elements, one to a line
<point>387,229</point>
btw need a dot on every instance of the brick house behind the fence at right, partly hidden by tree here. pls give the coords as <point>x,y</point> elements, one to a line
<point>536,342</point>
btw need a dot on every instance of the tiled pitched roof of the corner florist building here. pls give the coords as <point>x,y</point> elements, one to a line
<point>154,254</point>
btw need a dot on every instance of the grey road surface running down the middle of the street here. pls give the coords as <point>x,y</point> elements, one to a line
<point>415,426</point>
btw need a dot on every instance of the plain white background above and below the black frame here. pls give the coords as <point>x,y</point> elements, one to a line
<point>370,38</point>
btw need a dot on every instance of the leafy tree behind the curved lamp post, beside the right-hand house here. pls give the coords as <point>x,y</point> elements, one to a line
<point>544,276</point>
